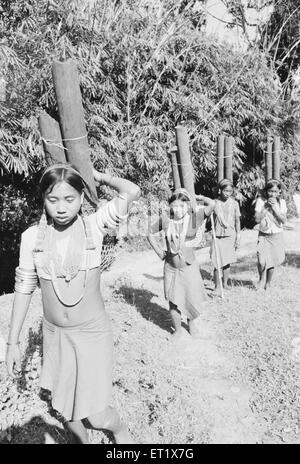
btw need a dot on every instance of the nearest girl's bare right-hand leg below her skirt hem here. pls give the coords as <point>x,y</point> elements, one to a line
<point>110,420</point>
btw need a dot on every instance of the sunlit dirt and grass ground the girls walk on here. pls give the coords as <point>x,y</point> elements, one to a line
<point>209,370</point>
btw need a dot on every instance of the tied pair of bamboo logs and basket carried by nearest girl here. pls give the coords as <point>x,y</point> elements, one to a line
<point>66,140</point>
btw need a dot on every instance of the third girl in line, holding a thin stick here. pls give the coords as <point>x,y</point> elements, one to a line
<point>226,219</point>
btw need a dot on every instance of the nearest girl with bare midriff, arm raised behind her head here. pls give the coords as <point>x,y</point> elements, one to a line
<point>64,253</point>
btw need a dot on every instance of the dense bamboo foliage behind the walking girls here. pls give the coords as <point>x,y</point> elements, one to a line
<point>145,67</point>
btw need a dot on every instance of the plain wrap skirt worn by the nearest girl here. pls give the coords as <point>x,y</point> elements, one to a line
<point>77,367</point>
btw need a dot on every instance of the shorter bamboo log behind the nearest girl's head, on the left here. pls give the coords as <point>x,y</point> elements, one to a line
<point>52,140</point>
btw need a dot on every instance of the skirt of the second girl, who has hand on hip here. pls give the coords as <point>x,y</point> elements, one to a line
<point>184,288</point>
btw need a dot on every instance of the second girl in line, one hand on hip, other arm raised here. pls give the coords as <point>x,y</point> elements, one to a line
<point>183,284</point>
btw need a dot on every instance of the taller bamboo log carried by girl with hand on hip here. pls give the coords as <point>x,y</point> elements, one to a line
<point>184,161</point>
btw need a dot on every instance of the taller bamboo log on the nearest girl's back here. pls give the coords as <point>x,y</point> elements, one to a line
<point>72,123</point>
